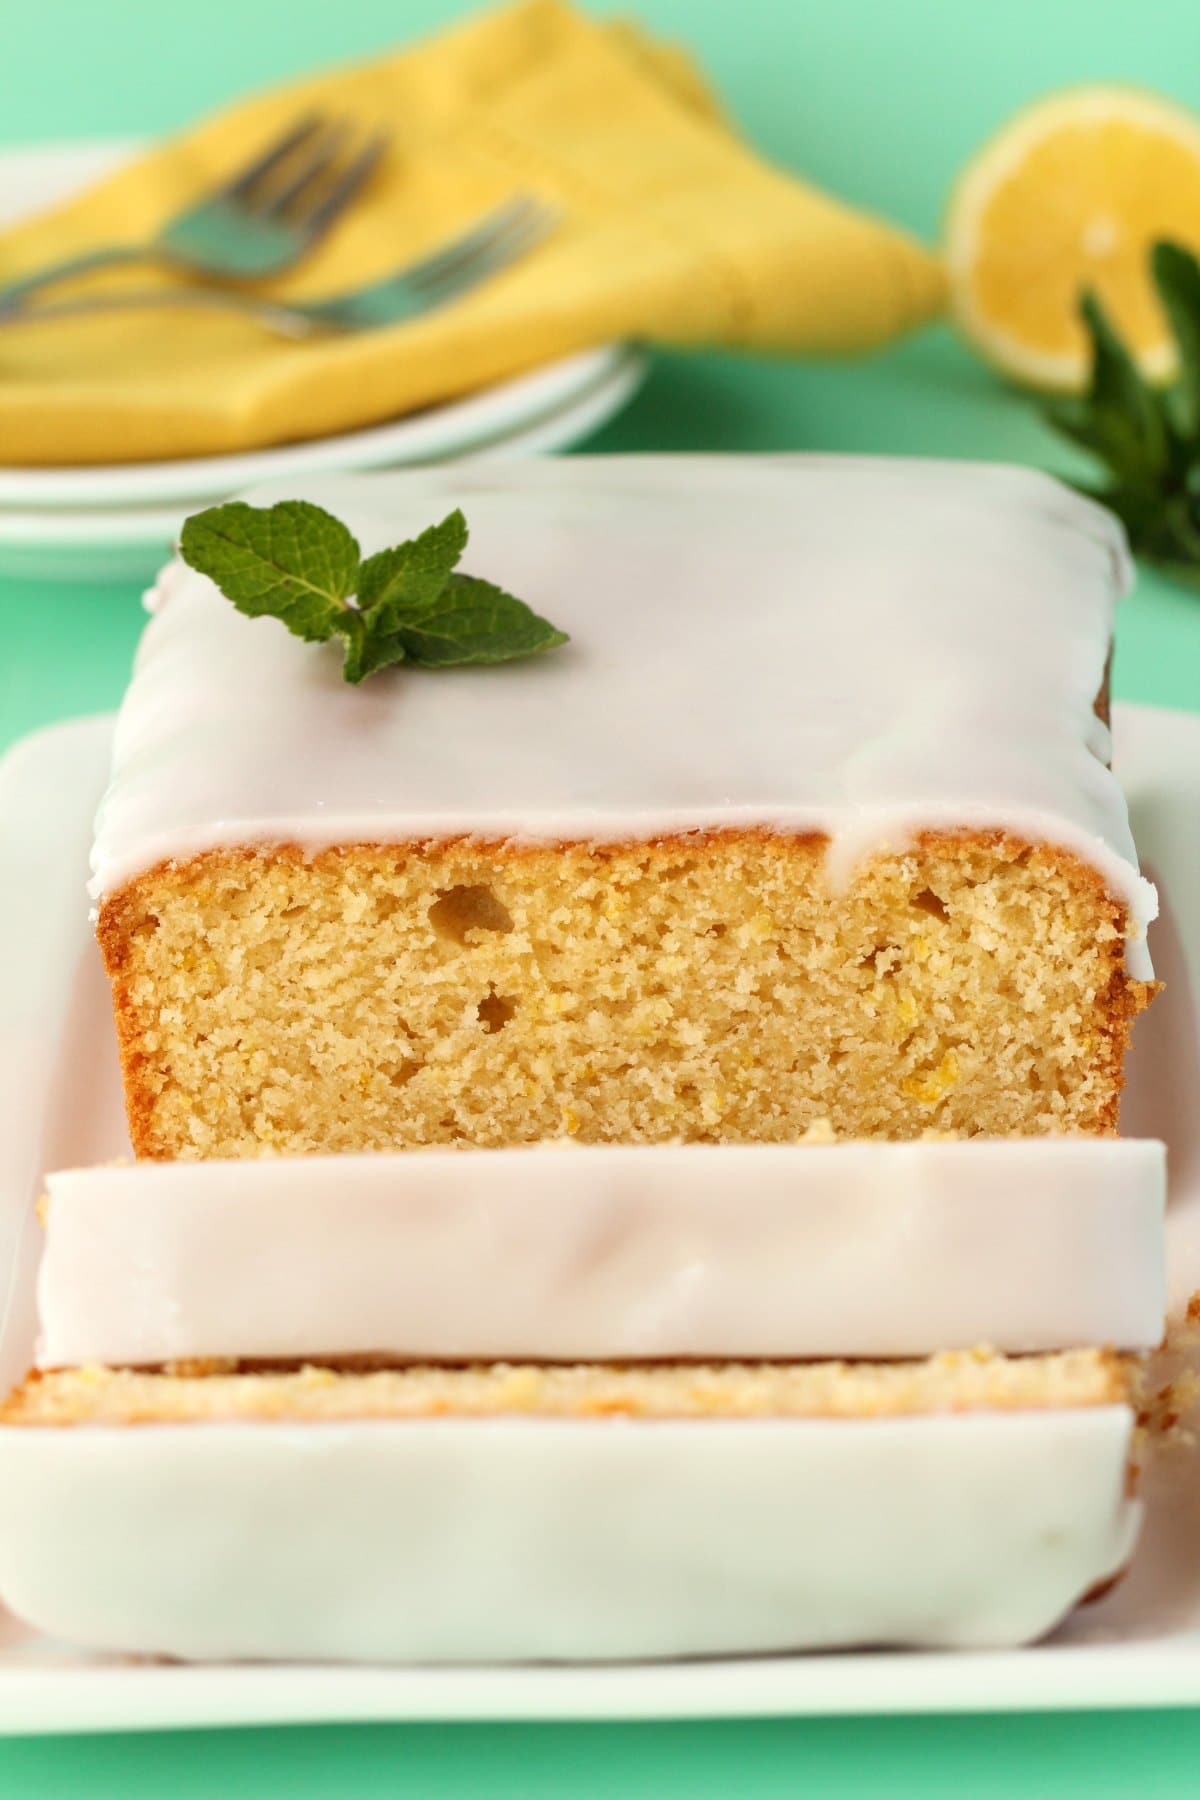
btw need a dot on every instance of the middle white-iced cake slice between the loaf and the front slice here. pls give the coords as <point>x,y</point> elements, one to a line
<point>560,1254</point>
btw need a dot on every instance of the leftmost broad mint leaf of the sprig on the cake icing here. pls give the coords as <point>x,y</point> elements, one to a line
<point>292,561</point>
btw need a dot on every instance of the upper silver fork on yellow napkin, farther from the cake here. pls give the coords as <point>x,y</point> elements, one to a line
<point>256,224</point>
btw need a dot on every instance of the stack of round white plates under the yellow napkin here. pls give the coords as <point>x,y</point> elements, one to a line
<point>116,523</point>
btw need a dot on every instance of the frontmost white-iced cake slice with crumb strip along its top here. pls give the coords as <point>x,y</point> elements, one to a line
<point>519,1513</point>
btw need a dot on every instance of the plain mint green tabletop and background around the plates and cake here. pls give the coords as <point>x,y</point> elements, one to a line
<point>881,100</point>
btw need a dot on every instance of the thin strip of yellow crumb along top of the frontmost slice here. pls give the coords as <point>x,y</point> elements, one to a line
<point>949,1383</point>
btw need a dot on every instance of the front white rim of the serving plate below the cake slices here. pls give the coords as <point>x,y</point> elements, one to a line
<point>1055,1678</point>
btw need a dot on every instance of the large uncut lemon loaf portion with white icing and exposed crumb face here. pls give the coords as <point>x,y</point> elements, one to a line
<point>812,818</point>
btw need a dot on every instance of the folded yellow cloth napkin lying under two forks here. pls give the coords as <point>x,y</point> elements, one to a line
<point>672,231</point>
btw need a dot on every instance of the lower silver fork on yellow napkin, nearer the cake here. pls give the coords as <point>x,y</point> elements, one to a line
<point>494,244</point>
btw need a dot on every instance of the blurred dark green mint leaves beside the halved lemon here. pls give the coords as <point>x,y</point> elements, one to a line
<point>1147,436</point>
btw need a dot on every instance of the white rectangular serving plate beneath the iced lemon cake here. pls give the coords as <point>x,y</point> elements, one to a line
<point>60,1104</point>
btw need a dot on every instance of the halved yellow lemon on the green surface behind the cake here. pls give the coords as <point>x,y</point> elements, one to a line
<point>1071,195</point>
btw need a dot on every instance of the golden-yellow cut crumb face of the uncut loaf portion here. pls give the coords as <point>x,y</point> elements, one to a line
<point>706,989</point>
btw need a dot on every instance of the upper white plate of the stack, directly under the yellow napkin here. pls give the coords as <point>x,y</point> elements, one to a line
<point>33,177</point>
